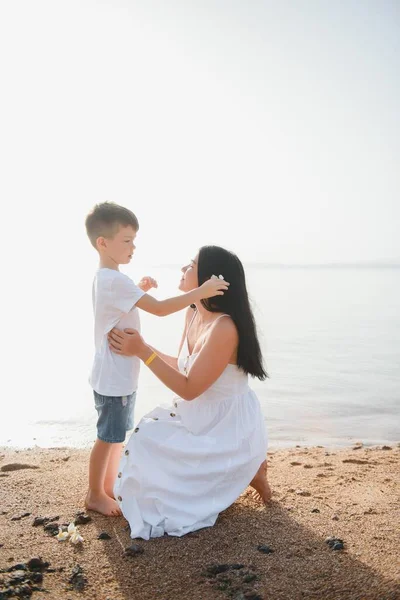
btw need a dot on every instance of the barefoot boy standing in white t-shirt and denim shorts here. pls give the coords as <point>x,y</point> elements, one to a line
<point>112,230</point>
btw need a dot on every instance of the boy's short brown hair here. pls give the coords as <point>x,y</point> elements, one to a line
<point>106,218</point>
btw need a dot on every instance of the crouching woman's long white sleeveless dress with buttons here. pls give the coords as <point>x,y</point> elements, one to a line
<point>186,462</point>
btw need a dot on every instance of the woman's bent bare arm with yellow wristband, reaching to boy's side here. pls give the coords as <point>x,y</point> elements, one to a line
<point>210,363</point>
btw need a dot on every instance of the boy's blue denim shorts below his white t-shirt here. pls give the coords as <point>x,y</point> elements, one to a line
<point>115,416</point>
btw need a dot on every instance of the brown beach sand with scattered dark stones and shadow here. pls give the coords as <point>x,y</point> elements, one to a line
<point>351,494</point>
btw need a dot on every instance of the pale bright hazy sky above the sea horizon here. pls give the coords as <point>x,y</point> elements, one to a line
<point>270,128</point>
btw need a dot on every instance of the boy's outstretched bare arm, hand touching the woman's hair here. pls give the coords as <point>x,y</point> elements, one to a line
<point>162,308</point>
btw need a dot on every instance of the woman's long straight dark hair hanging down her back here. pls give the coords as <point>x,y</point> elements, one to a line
<point>213,260</point>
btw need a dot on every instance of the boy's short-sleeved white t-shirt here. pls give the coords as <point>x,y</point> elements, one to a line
<point>114,299</point>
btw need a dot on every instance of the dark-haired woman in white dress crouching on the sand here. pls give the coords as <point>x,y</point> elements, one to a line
<point>186,463</point>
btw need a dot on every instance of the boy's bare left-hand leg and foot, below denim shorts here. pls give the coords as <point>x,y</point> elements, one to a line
<point>96,498</point>
